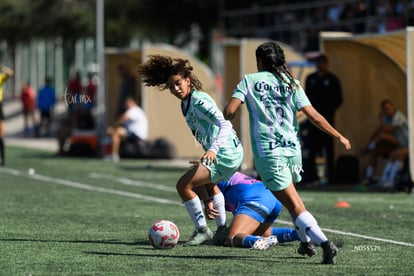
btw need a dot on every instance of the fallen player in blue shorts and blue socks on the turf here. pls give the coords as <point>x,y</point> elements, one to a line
<point>254,210</point>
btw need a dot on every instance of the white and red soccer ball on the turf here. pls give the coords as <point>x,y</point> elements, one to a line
<point>163,234</point>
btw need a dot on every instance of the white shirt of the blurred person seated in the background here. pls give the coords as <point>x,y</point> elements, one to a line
<point>137,122</point>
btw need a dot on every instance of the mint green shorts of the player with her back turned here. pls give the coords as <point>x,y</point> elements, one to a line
<point>278,172</point>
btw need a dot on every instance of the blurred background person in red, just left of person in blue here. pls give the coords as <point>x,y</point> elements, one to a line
<point>28,100</point>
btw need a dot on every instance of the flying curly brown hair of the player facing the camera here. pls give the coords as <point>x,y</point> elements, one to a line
<point>158,69</point>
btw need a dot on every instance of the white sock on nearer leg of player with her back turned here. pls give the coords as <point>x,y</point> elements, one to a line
<point>309,226</point>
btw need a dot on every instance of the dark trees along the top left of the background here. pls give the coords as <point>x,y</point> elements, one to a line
<point>69,20</point>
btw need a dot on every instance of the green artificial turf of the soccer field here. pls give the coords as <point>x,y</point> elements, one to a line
<point>77,216</point>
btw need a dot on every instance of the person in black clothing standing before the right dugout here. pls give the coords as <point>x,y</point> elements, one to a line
<point>324,91</point>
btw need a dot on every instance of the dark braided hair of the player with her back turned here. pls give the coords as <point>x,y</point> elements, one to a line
<point>273,60</point>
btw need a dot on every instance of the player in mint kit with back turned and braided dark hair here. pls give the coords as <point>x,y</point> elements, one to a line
<point>273,99</point>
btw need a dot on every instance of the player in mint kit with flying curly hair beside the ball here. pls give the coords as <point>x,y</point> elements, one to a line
<point>223,152</point>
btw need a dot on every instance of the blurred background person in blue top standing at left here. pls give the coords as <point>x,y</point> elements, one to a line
<point>46,100</point>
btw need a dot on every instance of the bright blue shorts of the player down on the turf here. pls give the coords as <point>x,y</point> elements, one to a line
<point>259,204</point>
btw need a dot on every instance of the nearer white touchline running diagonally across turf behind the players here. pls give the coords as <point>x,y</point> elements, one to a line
<point>78,185</point>
